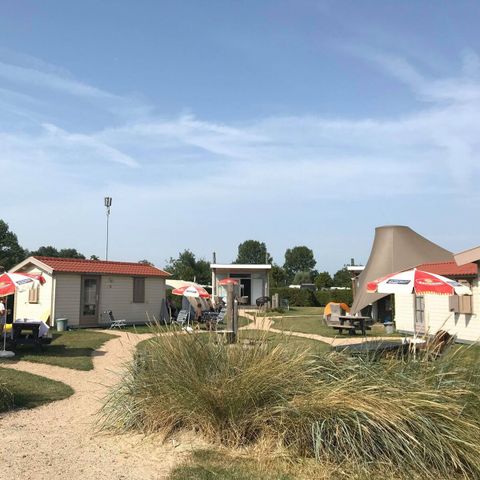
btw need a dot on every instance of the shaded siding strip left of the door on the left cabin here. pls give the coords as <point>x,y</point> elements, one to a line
<point>67,297</point>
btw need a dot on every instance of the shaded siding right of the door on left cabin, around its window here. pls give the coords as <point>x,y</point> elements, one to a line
<point>116,294</point>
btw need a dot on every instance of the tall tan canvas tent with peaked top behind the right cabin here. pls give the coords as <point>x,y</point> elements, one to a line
<point>395,248</point>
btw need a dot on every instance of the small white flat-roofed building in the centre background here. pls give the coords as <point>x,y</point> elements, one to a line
<point>253,279</point>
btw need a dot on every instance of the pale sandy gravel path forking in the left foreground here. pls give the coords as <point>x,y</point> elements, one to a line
<point>59,441</point>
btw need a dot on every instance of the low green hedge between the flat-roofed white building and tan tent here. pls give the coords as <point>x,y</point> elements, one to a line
<point>298,297</point>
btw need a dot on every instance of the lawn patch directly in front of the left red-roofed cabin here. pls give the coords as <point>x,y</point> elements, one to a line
<point>71,349</point>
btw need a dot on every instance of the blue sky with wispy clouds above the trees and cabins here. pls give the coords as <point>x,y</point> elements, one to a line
<point>209,123</point>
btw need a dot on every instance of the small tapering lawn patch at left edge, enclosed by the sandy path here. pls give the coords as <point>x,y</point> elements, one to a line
<point>30,390</point>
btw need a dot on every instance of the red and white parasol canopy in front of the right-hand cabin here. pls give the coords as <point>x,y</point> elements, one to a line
<point>418,282</point>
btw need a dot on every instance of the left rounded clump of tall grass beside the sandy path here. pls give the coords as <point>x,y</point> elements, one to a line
<point>191,381</point>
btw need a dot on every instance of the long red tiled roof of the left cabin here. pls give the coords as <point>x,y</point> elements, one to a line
<point>76,265</point>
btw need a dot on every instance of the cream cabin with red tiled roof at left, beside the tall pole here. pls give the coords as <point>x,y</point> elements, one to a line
<point>83,290</point>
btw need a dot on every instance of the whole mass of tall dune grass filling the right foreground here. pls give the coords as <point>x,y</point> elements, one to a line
<point>417,416</point>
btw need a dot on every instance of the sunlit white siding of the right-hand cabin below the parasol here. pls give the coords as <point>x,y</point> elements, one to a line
<point>438,316</point>
